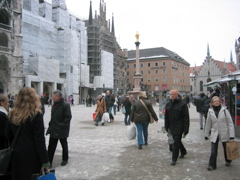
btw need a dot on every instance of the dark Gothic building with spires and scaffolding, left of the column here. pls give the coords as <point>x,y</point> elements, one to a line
<point>105,57</point>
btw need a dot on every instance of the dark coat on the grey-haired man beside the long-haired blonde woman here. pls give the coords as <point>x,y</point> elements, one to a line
<point>59,125</point>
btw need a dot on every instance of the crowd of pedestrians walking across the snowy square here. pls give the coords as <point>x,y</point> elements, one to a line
<point>24,122</point>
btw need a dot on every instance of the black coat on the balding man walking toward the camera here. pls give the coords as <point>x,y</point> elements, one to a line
<point>177,117</point>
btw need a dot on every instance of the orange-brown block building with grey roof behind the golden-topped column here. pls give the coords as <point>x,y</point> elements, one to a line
<point>161,70</point>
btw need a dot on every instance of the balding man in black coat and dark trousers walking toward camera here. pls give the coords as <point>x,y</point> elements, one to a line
<point>177,121</point>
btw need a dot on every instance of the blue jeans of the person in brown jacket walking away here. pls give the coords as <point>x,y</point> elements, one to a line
<point>142,129</point>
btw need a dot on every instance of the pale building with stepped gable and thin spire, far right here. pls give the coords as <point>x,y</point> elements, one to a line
<point>210,70</point>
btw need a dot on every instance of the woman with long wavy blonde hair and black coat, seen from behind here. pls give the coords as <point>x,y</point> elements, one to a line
<point>29,151</point>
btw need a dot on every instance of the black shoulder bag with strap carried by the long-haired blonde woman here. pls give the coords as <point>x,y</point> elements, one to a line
<point>6,155</point>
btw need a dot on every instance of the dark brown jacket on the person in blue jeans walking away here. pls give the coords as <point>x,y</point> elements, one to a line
<point>139,112</point>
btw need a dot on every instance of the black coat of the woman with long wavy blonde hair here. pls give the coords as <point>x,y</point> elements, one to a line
<point>30,150</point>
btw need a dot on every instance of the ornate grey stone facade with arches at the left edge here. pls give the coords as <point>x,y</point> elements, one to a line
<point>11,69</point>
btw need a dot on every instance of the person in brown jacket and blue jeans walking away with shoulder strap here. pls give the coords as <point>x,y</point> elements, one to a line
<point>140,116</point>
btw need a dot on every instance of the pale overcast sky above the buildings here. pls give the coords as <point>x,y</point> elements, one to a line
<point>182,26</point>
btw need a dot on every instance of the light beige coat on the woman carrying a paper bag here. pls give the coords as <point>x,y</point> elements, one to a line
<point>222,126</point>
